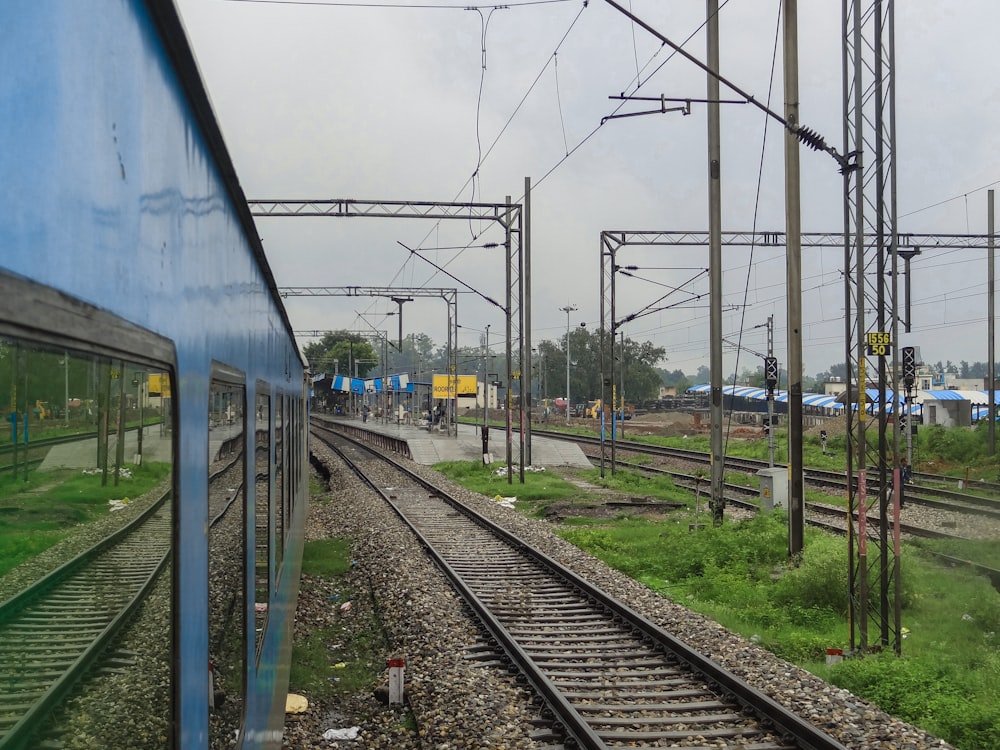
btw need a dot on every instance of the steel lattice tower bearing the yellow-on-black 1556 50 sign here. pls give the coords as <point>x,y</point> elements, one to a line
<point>870,245</point>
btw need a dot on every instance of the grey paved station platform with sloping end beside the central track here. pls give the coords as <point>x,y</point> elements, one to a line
<point>431,447</point>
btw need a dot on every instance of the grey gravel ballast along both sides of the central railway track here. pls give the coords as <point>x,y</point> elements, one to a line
<point>457,701</point>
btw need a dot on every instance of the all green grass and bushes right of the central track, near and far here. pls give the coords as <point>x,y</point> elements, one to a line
<point>947,680</point>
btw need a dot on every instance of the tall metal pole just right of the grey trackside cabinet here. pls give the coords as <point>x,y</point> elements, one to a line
<point>793,280</point>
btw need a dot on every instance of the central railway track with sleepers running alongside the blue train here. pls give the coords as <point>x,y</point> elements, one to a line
<point>607,676</point>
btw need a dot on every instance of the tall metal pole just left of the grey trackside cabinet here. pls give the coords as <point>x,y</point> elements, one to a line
<point>715,263</point>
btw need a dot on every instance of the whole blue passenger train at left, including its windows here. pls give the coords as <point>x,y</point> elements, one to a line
<point>137,303</point>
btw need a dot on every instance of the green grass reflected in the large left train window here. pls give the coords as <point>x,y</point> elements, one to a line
<point>38,513</point>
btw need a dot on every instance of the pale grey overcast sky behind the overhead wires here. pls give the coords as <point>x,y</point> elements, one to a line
<point>391,101</point>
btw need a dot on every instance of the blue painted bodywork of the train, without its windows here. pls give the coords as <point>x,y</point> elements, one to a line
<point>118,192</point>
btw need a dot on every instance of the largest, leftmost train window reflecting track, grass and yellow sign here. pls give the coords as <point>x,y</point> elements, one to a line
<point>86,489</point>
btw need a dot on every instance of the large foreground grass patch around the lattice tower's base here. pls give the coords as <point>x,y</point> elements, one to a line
<point>948,680</point>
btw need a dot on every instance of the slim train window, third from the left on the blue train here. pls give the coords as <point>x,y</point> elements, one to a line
<point>262,513</point>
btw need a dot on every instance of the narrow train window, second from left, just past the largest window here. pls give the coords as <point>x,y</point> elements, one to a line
<point>226,554</point>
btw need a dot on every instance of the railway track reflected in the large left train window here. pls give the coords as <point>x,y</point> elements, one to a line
<point>53,633</point>
